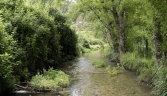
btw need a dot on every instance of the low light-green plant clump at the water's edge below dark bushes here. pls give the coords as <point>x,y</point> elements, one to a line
<point>51,79</point>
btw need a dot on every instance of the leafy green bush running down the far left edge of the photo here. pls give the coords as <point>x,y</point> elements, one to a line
<point>8,59</point>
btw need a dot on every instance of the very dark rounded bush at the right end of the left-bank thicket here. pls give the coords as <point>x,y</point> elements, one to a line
<point>68,41</point>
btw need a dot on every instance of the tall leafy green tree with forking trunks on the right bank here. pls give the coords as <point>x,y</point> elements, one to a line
<point>117,17</point>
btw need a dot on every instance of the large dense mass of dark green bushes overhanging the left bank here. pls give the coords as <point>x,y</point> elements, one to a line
<point>44,35</point>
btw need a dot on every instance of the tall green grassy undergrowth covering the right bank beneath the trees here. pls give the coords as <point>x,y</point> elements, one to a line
<point>148,71</point>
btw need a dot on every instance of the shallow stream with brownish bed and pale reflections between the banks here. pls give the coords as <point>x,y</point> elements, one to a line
<point>90,81</point>
